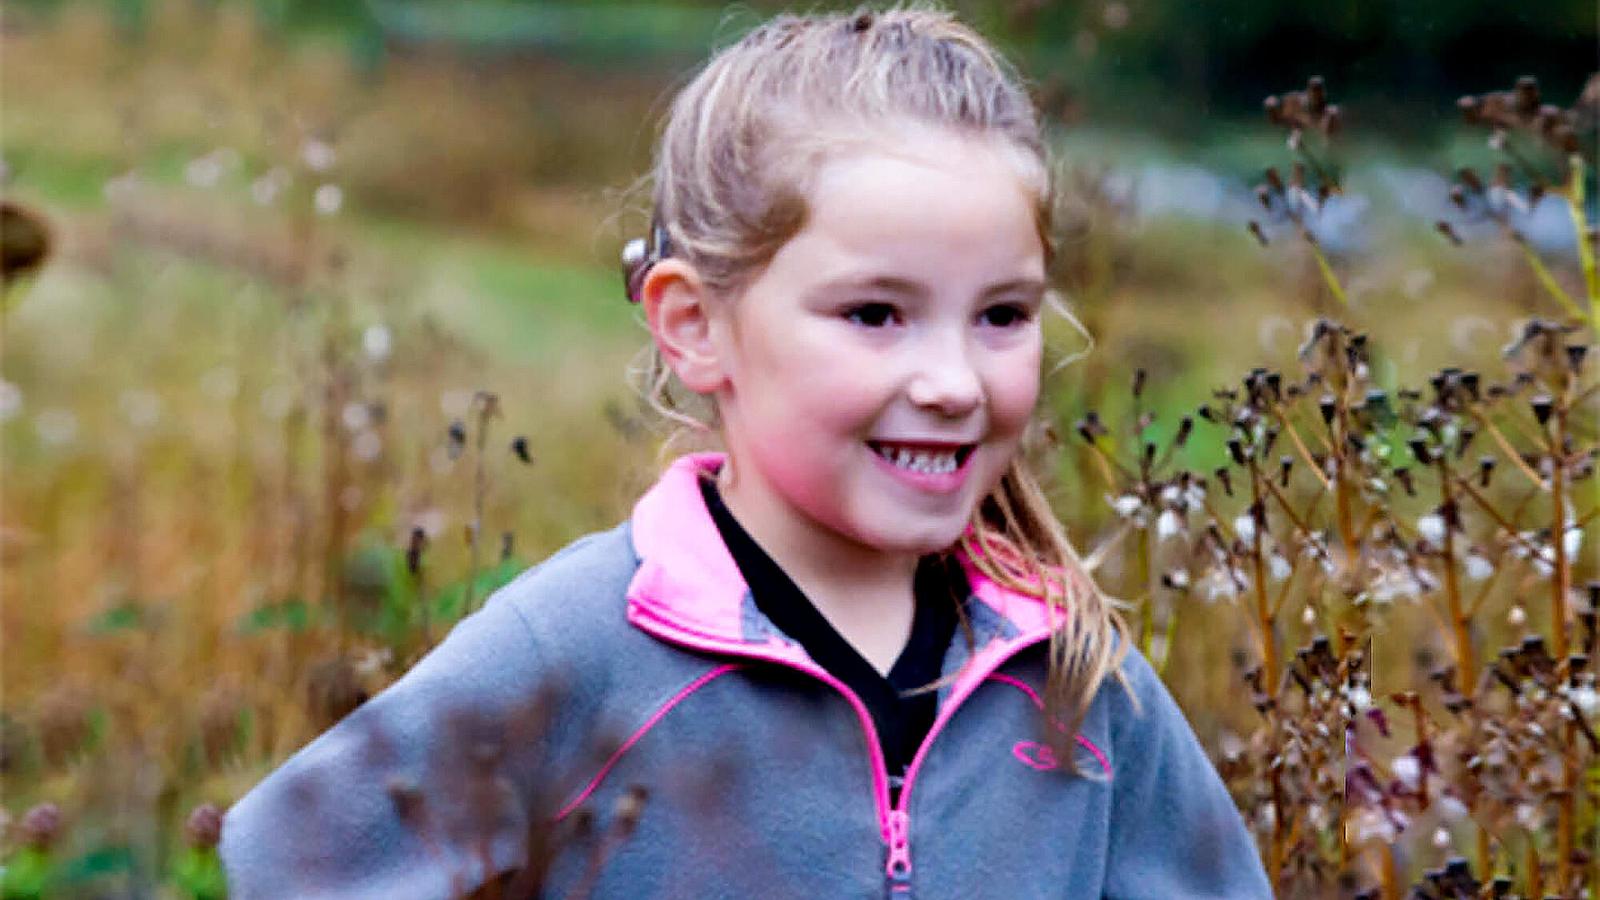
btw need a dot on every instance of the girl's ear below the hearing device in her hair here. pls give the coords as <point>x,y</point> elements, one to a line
<point>682,321</point>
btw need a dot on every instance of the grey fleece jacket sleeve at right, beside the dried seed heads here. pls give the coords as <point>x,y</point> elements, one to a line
<point>1175,830</point>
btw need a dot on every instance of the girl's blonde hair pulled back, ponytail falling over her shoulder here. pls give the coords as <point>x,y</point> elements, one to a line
<point>730,188</point>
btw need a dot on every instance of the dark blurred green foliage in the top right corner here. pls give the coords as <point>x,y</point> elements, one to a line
<point>1398,60</point>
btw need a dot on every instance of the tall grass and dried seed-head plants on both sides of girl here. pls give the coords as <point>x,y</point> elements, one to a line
<point>321,361</point>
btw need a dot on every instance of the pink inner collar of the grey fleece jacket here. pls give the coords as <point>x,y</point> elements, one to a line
<point>689,579</point>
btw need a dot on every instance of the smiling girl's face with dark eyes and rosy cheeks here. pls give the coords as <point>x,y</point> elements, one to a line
<point>881,371</point>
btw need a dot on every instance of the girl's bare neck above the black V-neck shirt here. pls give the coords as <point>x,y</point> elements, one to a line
<point>865,593</point>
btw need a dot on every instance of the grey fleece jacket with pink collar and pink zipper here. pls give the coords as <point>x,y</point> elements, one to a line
<point>622,721</point>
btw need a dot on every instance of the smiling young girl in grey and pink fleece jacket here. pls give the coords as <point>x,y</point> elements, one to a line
<point>855,656</point>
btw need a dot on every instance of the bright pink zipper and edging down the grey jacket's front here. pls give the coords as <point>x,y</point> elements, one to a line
<point>894,822</point>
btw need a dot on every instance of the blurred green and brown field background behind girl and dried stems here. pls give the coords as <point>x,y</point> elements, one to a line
<point>332,289</point>
